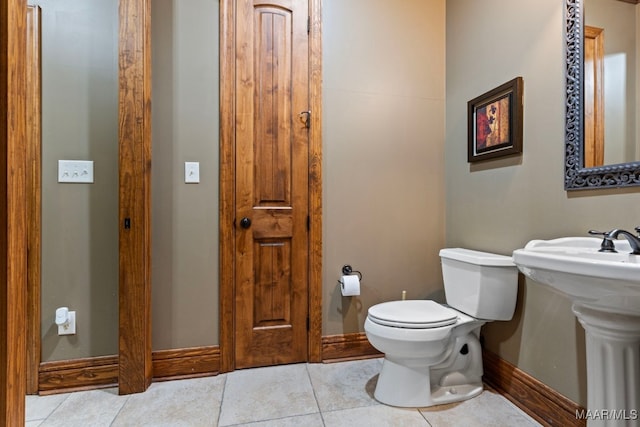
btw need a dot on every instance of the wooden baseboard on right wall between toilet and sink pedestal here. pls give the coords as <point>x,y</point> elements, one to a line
<point>541,402</point>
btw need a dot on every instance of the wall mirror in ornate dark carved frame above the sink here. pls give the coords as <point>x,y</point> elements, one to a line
<point>593,123</point>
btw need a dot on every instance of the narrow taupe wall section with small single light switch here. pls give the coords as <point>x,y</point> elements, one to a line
<point>185,113</point>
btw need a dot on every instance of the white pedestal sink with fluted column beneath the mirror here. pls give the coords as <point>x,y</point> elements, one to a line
<point>605,291</point>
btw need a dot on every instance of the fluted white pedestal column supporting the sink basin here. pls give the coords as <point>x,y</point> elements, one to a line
<point>613,366</point>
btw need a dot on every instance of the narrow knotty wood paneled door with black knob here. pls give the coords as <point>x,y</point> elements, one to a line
<point>271,182</point>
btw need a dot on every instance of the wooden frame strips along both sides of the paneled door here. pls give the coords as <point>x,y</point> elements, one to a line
<point>227,179</point>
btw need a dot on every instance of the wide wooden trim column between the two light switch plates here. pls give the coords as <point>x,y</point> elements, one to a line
<point>135,366</point>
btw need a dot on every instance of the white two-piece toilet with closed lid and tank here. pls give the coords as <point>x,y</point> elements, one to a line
<point>432,351</point>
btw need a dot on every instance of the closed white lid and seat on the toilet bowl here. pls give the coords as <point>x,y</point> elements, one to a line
<point>417,314</point>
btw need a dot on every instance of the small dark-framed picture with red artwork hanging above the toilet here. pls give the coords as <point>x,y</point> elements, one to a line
<point>495,122</point>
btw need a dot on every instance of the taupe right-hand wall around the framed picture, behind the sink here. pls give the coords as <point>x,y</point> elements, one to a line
<point>500,205</point>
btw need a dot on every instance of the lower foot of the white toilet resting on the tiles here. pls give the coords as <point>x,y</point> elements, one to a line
<point>410,387</point>
